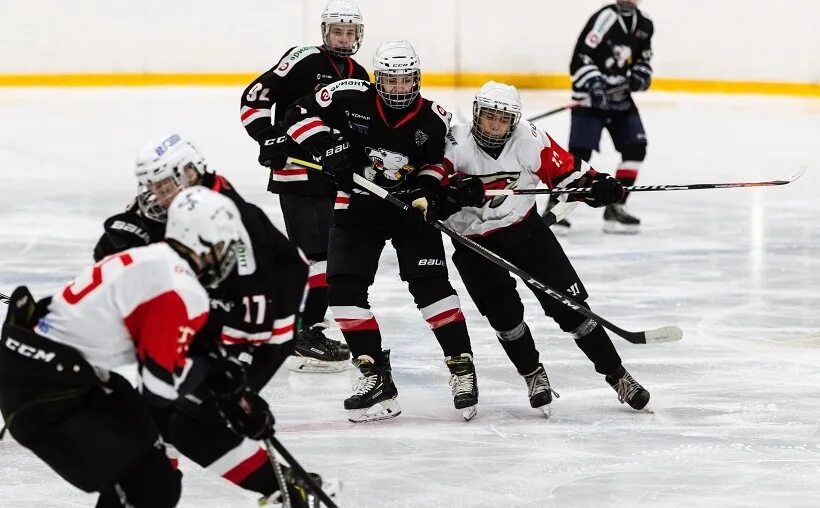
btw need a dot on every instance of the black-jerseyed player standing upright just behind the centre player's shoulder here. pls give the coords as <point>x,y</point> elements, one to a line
<point>306,199</point>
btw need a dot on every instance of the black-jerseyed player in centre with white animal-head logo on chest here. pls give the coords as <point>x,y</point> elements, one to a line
<point>394,137</point>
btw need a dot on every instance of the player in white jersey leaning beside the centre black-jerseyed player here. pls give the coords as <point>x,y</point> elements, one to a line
<point>498,151</point>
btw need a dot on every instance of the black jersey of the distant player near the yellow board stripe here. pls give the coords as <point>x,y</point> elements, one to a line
<point>609,46</point>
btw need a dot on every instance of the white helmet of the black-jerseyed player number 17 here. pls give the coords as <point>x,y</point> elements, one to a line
<point>163,168</point>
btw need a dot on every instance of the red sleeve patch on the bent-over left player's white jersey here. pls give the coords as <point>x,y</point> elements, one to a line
<point>162,331</point>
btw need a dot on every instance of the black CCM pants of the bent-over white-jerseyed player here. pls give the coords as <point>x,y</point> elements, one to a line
<point>99,436</point>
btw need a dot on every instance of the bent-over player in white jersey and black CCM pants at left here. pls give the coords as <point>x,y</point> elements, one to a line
<point>58,394</point>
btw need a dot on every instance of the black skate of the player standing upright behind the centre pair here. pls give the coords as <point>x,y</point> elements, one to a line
<point>317,353</point>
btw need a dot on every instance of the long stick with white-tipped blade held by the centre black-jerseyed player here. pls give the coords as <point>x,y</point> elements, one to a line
<point>657,335</point>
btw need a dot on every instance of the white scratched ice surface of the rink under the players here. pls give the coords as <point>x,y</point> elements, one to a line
<point>736,404</point>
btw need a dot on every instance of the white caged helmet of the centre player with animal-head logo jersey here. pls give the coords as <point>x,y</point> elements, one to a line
<point>397,70</point>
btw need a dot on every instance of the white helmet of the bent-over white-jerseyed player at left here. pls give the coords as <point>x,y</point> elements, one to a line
<point>206,229</point>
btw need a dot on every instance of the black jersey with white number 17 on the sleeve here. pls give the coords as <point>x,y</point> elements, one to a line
<point>254,308</point>
